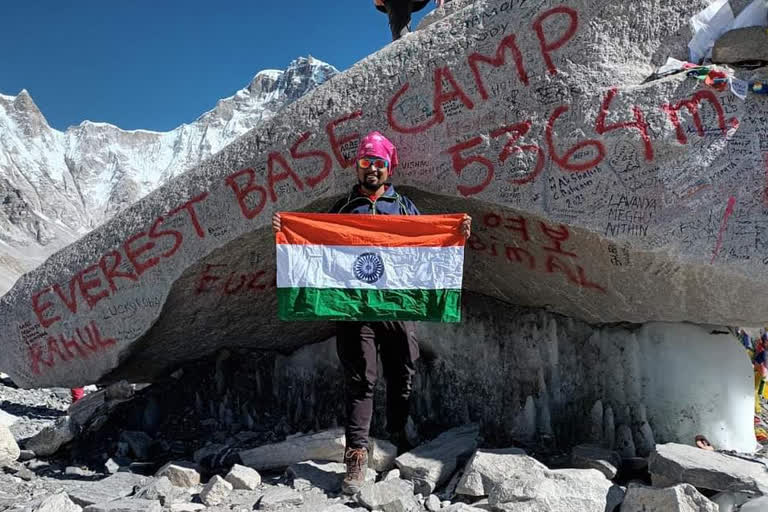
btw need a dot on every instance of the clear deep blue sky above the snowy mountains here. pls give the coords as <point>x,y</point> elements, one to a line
<point>156,64</point>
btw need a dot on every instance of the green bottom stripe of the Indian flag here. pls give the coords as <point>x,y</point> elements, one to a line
<point>369,305</point>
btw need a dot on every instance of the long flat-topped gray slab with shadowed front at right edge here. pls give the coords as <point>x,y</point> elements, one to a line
<point>672,464</point>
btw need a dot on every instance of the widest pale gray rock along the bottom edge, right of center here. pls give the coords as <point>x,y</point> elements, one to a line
<point>563,490</point>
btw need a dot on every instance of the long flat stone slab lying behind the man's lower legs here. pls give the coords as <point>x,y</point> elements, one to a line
<point>327,445</point>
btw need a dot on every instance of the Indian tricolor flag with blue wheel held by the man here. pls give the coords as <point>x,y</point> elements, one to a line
<point>369,267</point>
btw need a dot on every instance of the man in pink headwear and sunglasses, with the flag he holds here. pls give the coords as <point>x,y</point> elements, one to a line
<point>374,327</point>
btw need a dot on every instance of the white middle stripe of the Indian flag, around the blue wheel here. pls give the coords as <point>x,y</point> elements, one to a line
<point>404,268</point>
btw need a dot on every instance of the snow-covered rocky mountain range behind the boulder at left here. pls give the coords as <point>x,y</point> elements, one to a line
<point>56,186</point>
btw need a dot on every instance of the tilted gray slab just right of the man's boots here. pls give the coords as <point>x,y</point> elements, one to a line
<point>431,464</point>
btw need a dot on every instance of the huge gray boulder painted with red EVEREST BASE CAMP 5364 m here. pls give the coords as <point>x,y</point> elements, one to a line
<point>603,197</point>
